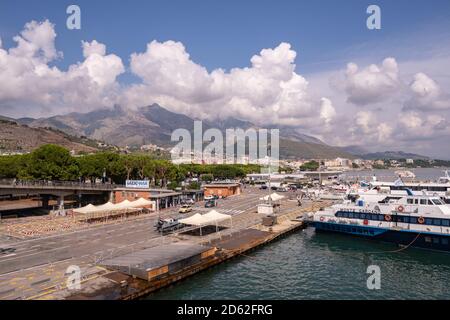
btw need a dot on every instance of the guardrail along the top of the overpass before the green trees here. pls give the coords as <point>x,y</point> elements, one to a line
<point>62,184</point>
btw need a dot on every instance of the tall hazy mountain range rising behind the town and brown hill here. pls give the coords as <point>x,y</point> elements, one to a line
<point>154,125</point>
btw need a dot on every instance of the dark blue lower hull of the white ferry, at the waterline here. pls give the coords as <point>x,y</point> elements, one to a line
<point>424,240</point>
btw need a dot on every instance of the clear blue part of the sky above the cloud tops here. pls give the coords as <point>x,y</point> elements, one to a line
<point>227,33</point>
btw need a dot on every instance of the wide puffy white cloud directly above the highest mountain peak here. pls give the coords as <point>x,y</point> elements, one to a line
<point>269,91</point>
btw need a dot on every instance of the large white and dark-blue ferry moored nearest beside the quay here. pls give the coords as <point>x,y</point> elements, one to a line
<point>411,220</point>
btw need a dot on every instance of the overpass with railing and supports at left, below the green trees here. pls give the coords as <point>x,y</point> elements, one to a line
<point>58,189</point>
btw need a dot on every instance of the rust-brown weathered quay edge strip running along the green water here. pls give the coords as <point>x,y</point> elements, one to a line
<point>236,244</point>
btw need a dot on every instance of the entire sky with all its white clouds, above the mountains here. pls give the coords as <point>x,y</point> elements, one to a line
<point>311,65</point>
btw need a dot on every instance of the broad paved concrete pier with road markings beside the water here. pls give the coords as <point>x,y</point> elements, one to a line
<point>35,267</point>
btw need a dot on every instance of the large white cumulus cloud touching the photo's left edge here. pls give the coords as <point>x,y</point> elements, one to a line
<point>31,85</point>
